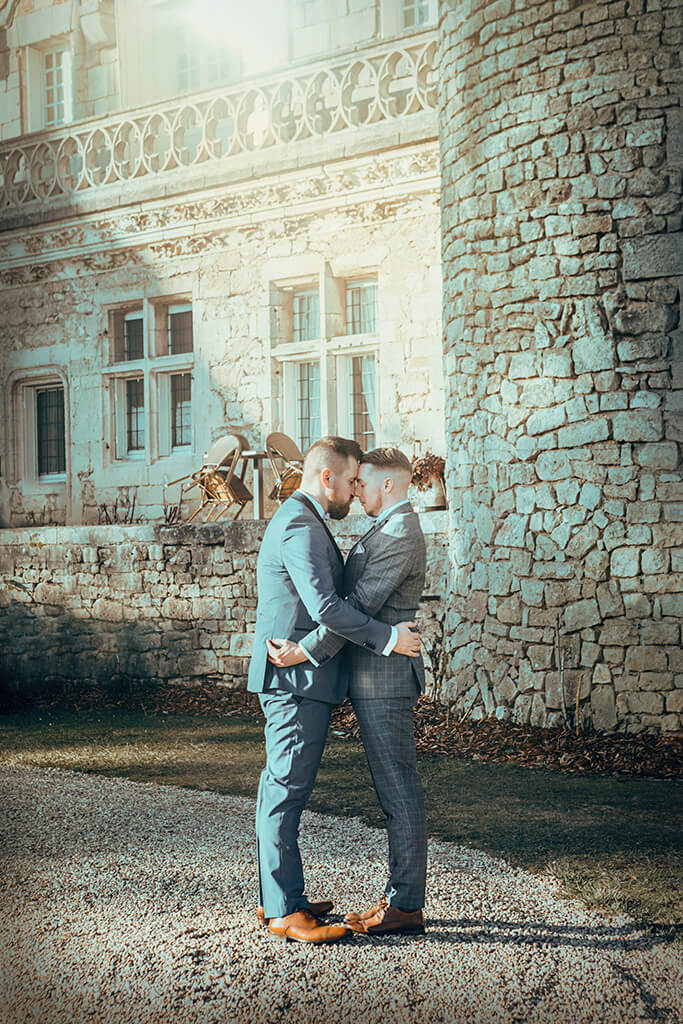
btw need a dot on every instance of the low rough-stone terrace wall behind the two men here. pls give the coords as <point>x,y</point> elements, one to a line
<point>129,605</point>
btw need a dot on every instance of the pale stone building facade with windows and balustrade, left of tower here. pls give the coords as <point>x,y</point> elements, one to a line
<point>218,245</point>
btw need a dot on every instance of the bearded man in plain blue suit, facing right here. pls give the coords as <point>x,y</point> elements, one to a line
<point>300,577</point>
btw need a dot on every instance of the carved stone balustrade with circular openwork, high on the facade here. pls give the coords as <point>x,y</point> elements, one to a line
<point>353,92</point>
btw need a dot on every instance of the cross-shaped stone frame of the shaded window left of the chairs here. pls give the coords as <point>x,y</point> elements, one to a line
<point>156,368</point>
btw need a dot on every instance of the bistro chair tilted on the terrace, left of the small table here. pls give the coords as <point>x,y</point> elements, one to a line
<point>221,488</point>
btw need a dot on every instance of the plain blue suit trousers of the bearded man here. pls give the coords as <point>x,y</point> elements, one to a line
<point>295,733</point>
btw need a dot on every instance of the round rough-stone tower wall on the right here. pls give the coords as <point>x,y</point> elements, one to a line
<point>563,148</point>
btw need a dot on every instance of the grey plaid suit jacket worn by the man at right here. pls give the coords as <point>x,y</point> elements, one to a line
<point>385,577</point>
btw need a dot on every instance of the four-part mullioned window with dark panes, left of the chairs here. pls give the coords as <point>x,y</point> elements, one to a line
<point>150,403</point>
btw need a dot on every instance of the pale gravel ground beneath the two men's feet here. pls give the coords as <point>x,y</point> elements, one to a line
<point>129,903</point>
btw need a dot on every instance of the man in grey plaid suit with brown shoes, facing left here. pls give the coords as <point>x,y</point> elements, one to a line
<point>385,577</point>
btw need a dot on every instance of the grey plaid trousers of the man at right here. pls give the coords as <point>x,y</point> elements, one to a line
<point>389,738</point>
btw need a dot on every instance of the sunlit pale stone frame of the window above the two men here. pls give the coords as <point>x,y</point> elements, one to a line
<point>334,344</point>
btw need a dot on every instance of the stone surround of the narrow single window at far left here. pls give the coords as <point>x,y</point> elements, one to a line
<point>23,455</point>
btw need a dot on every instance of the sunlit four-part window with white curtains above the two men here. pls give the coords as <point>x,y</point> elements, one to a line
<point>326,360</point>
